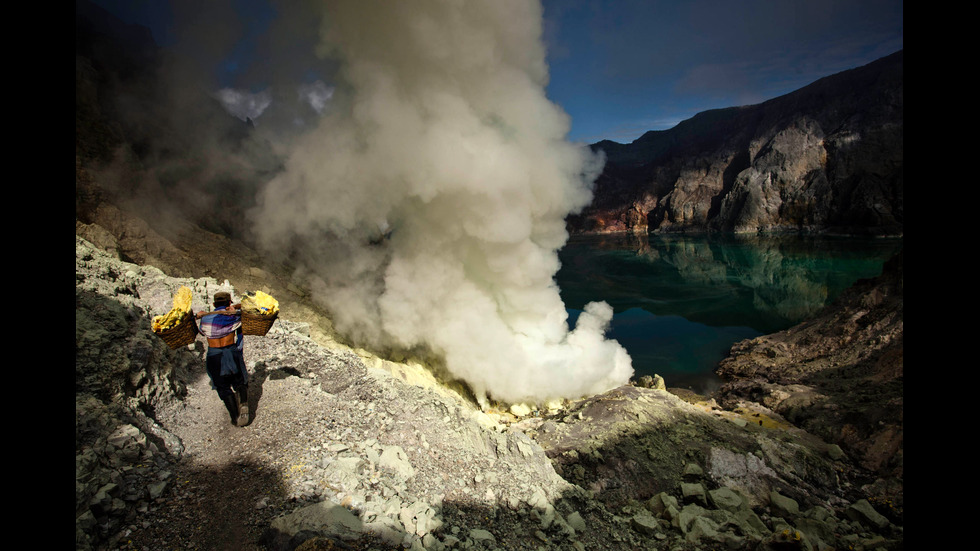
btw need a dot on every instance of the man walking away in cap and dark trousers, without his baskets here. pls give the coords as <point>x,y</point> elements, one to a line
<point>225,362</point>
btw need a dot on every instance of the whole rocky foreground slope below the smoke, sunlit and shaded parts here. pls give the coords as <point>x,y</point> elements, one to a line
<point>344,449</point>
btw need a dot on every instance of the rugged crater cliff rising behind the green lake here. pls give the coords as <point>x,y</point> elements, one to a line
<point>826,158</point>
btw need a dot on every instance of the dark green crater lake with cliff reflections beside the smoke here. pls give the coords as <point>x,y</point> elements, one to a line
<point>682,301</point>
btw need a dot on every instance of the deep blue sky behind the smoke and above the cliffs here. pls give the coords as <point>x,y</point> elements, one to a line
<point>617,67</point>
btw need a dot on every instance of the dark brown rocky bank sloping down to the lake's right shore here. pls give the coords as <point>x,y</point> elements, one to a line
<point>838,375</point>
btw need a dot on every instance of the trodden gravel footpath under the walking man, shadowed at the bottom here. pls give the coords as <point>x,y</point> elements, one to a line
<point>228,486</point>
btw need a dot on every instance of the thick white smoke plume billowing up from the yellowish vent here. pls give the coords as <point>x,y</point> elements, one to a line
<point>440,138</point>
